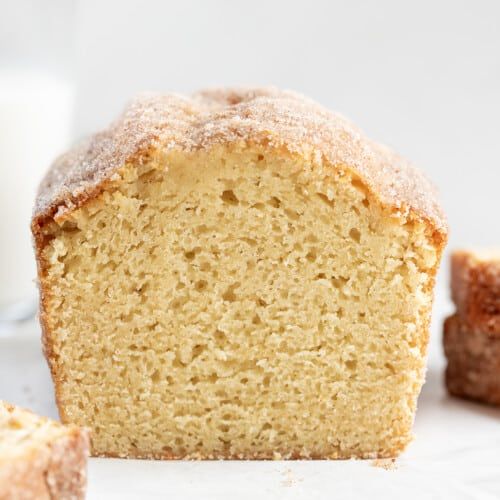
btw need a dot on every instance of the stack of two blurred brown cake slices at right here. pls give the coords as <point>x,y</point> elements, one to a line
<point>472,335</point>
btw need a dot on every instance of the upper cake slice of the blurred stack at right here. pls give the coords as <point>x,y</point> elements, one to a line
<point>475,288</point>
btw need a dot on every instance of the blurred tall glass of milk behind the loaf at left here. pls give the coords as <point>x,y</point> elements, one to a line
<point>36,109</point>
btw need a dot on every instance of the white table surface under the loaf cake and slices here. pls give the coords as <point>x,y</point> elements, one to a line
<point>455,455</point>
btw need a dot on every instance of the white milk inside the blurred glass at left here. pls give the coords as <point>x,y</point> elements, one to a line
<point>35,126</point>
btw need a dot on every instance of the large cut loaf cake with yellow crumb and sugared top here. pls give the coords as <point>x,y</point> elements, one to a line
<point>237,274</point>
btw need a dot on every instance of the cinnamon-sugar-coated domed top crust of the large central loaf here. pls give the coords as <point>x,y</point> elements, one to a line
<point>265,115</point>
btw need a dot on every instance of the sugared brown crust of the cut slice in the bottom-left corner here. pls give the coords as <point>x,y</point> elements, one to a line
<point>52,469</point>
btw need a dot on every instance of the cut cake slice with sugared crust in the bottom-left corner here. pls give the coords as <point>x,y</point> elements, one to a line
<point>40,459</point>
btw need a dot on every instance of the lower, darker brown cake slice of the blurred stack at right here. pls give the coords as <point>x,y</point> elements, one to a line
<point>473,369</point>
